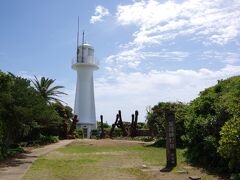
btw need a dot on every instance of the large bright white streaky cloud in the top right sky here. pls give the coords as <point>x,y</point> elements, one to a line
<point>216,21</point>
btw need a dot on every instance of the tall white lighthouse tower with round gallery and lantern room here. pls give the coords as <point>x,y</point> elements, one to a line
<point>84,107</point>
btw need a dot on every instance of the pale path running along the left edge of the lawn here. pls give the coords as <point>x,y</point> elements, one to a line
<point>15,168</point>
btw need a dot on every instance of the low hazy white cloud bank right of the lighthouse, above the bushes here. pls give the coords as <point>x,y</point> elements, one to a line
<point>131,91</point>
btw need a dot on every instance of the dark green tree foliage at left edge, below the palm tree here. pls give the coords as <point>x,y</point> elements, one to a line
<point>24,114</point>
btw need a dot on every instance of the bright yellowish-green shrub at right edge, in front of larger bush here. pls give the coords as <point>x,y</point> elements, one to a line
<point>230,143</point>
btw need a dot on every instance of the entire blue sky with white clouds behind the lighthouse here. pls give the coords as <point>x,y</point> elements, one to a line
<point>149,50</point>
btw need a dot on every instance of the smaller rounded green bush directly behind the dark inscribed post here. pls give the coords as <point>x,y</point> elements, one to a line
<point>156,120</point>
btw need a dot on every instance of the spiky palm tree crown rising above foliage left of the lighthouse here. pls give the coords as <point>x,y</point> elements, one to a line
<point>50,94</point>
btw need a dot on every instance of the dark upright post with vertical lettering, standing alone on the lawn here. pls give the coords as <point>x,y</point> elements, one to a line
<point>170,139</point>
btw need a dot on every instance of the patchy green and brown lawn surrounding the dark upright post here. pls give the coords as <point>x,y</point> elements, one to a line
<point>92,159</point>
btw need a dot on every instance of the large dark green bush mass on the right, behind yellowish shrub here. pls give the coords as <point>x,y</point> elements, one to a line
<point>206,116</point>
